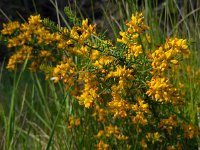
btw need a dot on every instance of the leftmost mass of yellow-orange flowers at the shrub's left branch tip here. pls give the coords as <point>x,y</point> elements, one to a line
<point>23,40</point>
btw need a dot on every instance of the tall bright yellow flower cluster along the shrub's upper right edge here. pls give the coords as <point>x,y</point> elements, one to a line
<point>163,59</point>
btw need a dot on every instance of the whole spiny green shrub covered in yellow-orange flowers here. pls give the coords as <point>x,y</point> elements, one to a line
<point>127,86</point>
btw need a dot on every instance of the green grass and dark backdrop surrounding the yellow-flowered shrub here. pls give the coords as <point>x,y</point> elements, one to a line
<point>33,111</point>
